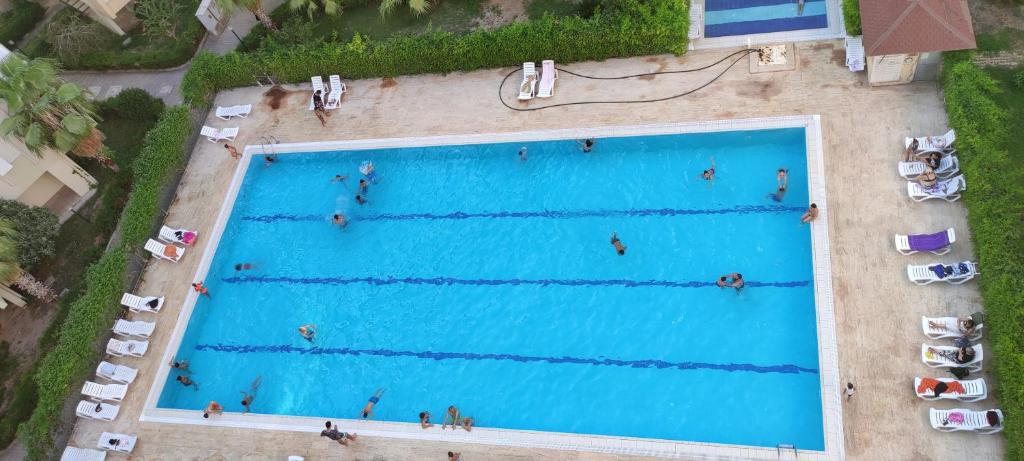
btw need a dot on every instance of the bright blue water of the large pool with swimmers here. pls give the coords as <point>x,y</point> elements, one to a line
<point>477,280</point>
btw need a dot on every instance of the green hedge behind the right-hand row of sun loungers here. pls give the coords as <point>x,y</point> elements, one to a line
<point>978,111</point>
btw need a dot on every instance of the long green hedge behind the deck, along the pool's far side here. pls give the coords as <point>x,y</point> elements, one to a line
<point>626,29</point>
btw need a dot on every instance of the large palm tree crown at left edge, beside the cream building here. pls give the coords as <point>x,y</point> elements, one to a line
<point>47,112</point>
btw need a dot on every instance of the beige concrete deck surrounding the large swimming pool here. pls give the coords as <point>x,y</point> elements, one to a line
<point>878,311</point>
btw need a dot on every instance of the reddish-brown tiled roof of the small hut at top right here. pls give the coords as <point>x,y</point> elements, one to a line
<point>893,27</point>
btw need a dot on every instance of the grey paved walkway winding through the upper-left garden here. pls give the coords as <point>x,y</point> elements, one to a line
<point>166,85</point>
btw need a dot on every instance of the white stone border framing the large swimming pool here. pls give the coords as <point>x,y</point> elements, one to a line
<point>828,350</point>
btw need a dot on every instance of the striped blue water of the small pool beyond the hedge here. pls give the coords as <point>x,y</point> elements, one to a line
<point>729,18</point>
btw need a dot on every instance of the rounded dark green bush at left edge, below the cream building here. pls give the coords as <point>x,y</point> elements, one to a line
<point>36,228</point>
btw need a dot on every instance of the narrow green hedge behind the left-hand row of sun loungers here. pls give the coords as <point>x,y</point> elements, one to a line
<point>91,317</point>
